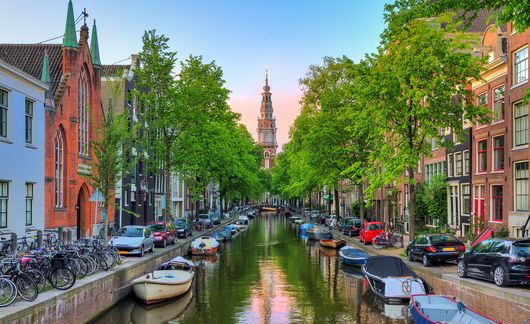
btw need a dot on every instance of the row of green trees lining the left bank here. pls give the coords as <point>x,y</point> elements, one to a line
<point>185,126</point>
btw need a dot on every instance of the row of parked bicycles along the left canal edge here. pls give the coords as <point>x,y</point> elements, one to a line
<point>28,269</point>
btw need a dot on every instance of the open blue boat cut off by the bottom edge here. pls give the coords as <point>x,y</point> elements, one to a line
<point>426,309</point>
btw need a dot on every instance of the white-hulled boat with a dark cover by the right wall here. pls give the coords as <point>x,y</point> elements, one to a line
<point>391,280</point>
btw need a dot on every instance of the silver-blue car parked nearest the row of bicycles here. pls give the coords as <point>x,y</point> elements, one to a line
<point>133,240</point>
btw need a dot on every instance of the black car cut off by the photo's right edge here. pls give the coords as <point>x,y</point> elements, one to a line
<point>503,261</point>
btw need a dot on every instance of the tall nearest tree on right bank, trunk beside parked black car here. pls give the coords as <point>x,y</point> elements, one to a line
<point>414,81</point>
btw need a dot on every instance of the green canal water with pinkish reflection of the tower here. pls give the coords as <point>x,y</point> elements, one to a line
<point>267,274</point>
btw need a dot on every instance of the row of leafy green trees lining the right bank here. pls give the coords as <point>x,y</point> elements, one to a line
<point>367,124</point>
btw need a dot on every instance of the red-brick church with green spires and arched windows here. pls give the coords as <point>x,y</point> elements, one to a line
<point>72,106</point>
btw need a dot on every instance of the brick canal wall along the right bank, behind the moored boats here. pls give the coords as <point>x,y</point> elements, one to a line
<point>505,304</point>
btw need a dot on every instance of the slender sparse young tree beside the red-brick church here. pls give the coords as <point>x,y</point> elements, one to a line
<point>113,137</point>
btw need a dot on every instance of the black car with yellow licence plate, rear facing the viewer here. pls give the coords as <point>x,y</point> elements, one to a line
<point>435,247</point>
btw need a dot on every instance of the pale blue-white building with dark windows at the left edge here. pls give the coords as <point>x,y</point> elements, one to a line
<point>22,100</point>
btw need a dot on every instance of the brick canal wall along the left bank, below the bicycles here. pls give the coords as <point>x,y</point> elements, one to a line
<point>93,295</point>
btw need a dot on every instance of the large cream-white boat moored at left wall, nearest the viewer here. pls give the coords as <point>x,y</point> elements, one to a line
<point>159,285</point>
